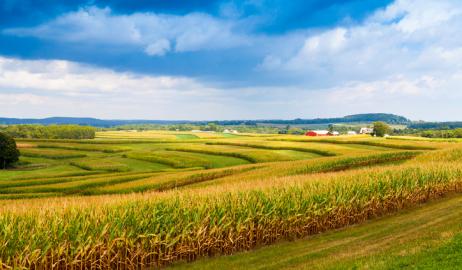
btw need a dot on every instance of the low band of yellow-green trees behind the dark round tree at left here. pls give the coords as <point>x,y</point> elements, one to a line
<point>50,132</point>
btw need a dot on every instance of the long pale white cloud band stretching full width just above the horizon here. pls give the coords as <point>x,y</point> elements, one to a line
<point>42,88</point>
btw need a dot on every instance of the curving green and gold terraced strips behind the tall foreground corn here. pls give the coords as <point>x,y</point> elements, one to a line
<point>123,162</point>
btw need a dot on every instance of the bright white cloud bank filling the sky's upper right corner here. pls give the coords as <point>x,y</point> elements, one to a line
<point>409,37</point>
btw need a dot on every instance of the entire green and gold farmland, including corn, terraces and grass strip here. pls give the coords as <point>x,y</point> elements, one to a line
<point>128,199</point>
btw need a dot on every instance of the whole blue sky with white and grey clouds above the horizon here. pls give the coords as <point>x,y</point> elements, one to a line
<point>230,59</point>
